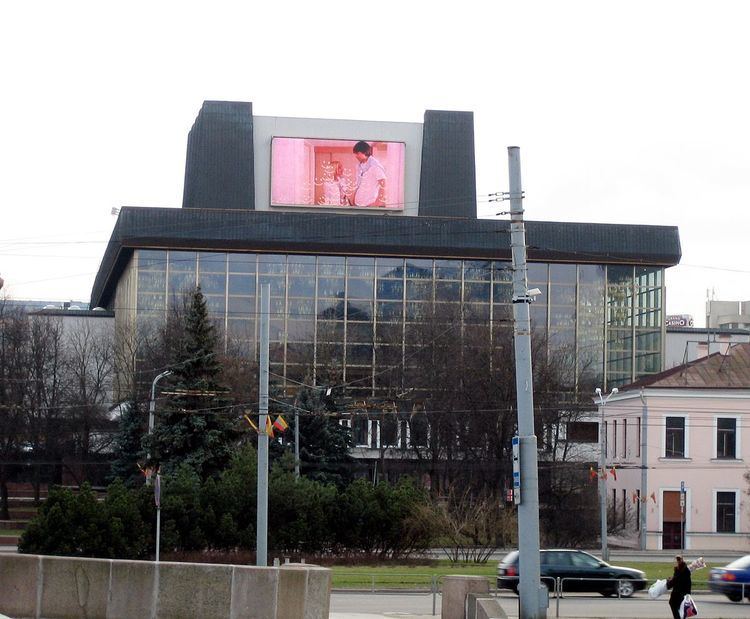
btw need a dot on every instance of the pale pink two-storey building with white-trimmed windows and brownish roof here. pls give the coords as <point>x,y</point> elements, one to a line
<point>679,444</point>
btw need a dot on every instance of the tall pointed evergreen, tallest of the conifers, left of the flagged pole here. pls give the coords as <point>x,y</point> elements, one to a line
<point>195,425</point>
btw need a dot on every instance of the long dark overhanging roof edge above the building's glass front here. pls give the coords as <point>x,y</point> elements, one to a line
<point>380,235</point>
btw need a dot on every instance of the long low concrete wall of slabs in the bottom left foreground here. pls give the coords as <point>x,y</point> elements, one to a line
<point>43,587</point>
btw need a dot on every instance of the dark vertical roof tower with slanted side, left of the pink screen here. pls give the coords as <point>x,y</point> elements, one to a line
<point>219,163</point>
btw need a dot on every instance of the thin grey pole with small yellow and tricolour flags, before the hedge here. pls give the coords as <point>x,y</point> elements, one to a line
<point>261,532</point>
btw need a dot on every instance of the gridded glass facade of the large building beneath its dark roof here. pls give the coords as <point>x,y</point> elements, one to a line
<point>357,316</point>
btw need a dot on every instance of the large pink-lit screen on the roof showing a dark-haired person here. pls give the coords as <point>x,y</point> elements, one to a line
<point>337,173</point>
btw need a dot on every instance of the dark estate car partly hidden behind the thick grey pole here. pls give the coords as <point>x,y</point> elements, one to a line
<point>578,571</point>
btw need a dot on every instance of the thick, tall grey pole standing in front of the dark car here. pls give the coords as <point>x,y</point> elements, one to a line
<point>530,590</point>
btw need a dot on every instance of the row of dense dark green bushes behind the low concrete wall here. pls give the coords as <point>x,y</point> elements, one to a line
<point>305,517</point>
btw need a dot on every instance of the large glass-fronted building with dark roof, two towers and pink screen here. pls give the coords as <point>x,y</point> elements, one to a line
<point>366,231</point>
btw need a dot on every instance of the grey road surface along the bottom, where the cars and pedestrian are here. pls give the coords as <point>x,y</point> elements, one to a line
<point>640,606</point>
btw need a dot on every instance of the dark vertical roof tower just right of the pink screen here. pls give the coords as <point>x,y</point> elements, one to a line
<point>448,184</point>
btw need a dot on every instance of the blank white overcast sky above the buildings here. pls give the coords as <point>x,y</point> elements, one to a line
<point>625,112</point>
